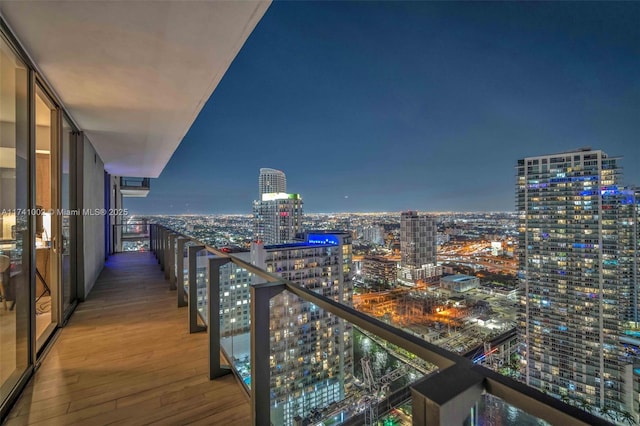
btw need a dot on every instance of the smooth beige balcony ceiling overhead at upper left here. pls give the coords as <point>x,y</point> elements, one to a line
<point>133,74</point>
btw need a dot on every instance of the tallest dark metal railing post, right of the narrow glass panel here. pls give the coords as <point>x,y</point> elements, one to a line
<point>260,349</point>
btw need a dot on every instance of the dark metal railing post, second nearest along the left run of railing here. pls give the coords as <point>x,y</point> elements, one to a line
<point>213,317</point>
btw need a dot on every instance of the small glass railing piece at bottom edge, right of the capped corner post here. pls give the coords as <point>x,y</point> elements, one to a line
<point>491,410</point>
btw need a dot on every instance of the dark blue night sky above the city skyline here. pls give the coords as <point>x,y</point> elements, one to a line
<point>418,105</point>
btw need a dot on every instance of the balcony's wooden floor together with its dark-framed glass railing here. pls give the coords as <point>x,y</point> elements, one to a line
<point>135,352</point>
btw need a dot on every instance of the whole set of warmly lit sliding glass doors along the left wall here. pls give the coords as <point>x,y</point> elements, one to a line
<point>37,218</point>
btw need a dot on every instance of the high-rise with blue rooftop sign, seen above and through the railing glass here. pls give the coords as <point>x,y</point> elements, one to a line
<point>311,350</point>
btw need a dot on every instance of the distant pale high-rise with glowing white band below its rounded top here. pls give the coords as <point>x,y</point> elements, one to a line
<point>278,215</point>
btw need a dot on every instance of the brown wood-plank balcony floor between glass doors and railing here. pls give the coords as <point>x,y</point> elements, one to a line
<point>126,357</point>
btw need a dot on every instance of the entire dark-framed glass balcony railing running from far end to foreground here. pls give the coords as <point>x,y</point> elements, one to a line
<point>305,358</point>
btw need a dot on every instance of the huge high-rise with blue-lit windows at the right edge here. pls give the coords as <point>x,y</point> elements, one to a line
<point>578,261</point>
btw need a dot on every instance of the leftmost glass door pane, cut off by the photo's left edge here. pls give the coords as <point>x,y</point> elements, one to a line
<point>15,241</point>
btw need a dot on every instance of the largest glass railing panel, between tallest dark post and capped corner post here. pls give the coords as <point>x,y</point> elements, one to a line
<point>325,370</point>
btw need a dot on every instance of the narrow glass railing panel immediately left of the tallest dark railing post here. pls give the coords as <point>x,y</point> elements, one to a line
<point>235,318</point>
